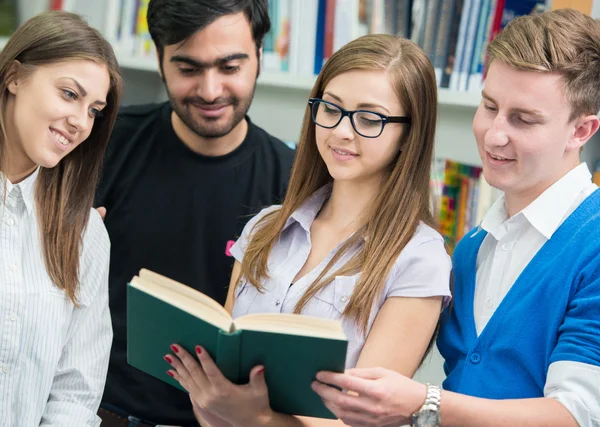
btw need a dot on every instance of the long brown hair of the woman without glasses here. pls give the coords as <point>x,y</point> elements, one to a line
<point>64,194</point>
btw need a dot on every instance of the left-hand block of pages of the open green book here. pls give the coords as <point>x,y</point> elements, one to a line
<point>187,299</point>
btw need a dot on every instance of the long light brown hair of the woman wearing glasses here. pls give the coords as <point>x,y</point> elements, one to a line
<point>403,201</point>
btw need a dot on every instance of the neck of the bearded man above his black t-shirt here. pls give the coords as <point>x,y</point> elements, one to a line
<point>211,147</point>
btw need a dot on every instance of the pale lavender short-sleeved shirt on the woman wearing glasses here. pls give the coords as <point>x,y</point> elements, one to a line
<point>421,270</point>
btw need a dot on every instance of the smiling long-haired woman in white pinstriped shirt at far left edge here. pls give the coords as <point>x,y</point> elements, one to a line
<point>59,91</point>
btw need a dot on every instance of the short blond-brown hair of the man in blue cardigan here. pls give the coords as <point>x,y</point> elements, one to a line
<point>565,42</point>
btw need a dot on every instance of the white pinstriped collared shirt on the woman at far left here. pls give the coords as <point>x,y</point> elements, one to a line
<point>53,356</point>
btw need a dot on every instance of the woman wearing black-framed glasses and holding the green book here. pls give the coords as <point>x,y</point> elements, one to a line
<point>353,239</point>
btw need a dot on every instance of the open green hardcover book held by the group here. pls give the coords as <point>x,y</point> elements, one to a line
<point>293,348</point>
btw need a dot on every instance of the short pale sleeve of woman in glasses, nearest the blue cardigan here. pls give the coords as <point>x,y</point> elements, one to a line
<point>422,269</point>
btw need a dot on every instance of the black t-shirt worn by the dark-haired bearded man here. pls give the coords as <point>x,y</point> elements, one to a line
<point>176,212</point>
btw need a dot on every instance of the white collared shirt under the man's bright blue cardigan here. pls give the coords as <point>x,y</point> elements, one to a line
<point>511,243</point>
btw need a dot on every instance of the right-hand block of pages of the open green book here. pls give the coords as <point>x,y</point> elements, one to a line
<point>291,324</point>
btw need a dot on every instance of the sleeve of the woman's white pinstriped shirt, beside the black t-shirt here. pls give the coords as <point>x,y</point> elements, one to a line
<point>81,372</point>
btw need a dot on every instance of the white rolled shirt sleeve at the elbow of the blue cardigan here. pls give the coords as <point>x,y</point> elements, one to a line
<point>575,385</point>
